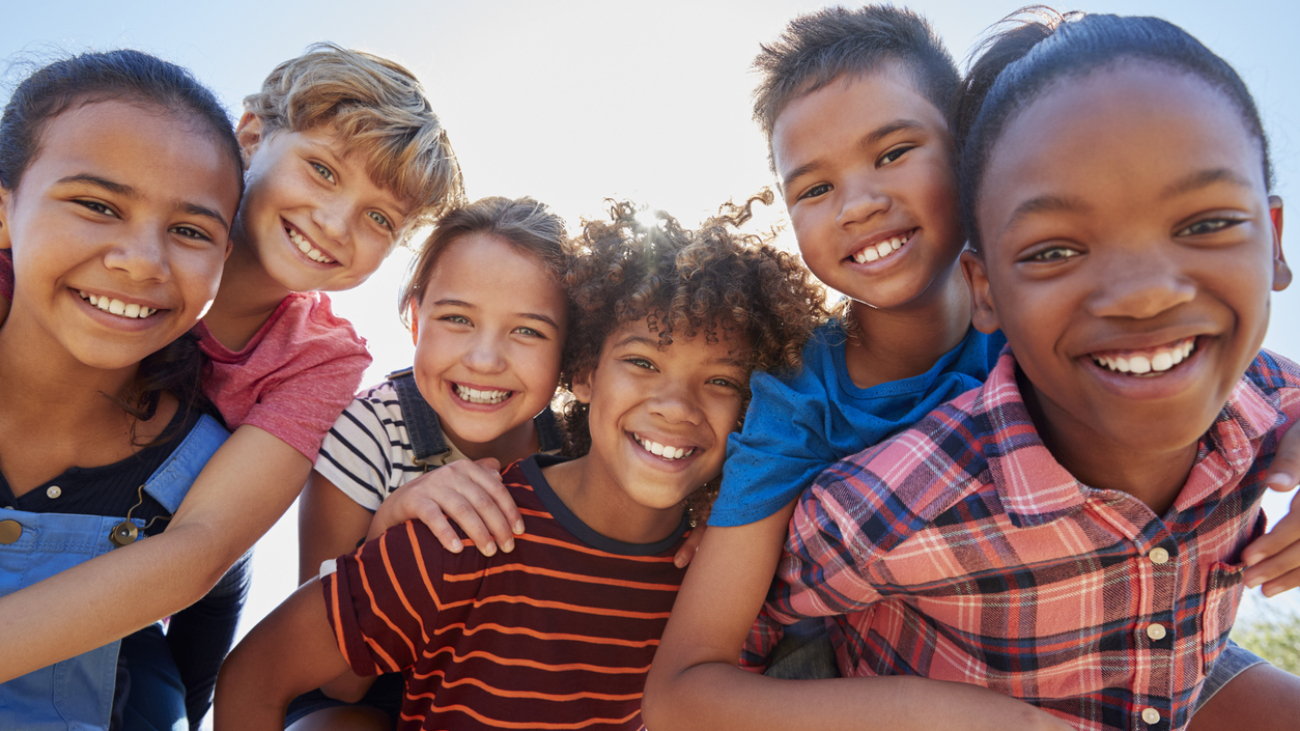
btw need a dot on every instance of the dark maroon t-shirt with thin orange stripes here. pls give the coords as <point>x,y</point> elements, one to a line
<point>558,634</point>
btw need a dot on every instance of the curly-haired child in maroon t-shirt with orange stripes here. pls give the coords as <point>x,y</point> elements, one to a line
<point>669,326</point>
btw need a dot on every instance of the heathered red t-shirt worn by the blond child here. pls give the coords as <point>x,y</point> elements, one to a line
<point>296,375</point>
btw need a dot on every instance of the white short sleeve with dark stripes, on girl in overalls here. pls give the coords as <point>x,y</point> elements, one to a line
<point>358,453</point>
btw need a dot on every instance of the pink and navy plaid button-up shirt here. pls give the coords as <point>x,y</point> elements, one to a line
<point>963,551</point>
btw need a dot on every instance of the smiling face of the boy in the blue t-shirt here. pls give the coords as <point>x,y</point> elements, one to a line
<point>866,168</point>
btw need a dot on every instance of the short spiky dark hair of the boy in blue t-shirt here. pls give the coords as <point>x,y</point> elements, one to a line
<point>821,47</point>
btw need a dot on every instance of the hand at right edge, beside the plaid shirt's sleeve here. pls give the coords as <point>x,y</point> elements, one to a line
<point>1275,559</point>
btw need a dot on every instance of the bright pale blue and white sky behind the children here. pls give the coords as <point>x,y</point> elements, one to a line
<point>588,101</point>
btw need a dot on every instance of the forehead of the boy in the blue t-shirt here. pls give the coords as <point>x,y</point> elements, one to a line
<point>847,109</point>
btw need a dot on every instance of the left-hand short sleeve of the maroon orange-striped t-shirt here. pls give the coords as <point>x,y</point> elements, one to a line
<point>379,603</point>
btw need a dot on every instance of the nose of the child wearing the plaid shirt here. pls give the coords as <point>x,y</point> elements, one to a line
<point>1141,283</point>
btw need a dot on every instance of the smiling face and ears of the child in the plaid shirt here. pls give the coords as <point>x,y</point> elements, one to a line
<point>1129,253</point>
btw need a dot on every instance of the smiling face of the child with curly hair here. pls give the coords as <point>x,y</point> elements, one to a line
<point>661,416</point>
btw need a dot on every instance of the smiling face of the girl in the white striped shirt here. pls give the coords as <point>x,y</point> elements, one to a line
<point>489,336</point>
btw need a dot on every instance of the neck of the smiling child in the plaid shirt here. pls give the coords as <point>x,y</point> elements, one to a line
<point>1152,477</point>
